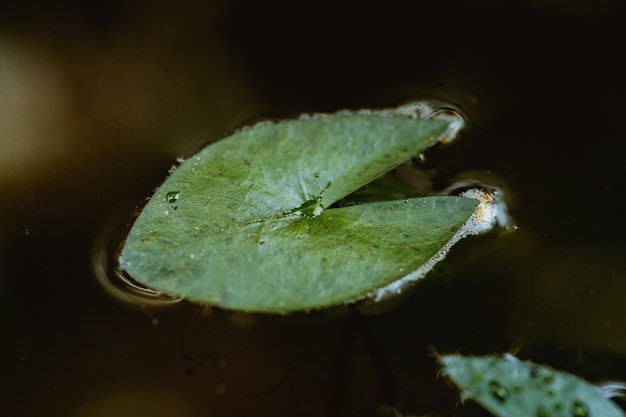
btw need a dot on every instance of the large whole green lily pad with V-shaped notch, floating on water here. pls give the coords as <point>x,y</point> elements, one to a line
<point>244,224</point>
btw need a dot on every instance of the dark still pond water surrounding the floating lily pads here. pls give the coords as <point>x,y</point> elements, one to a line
<point>98,102</point>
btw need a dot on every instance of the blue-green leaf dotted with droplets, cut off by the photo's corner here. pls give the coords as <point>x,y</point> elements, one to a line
<point>508,387</point>
